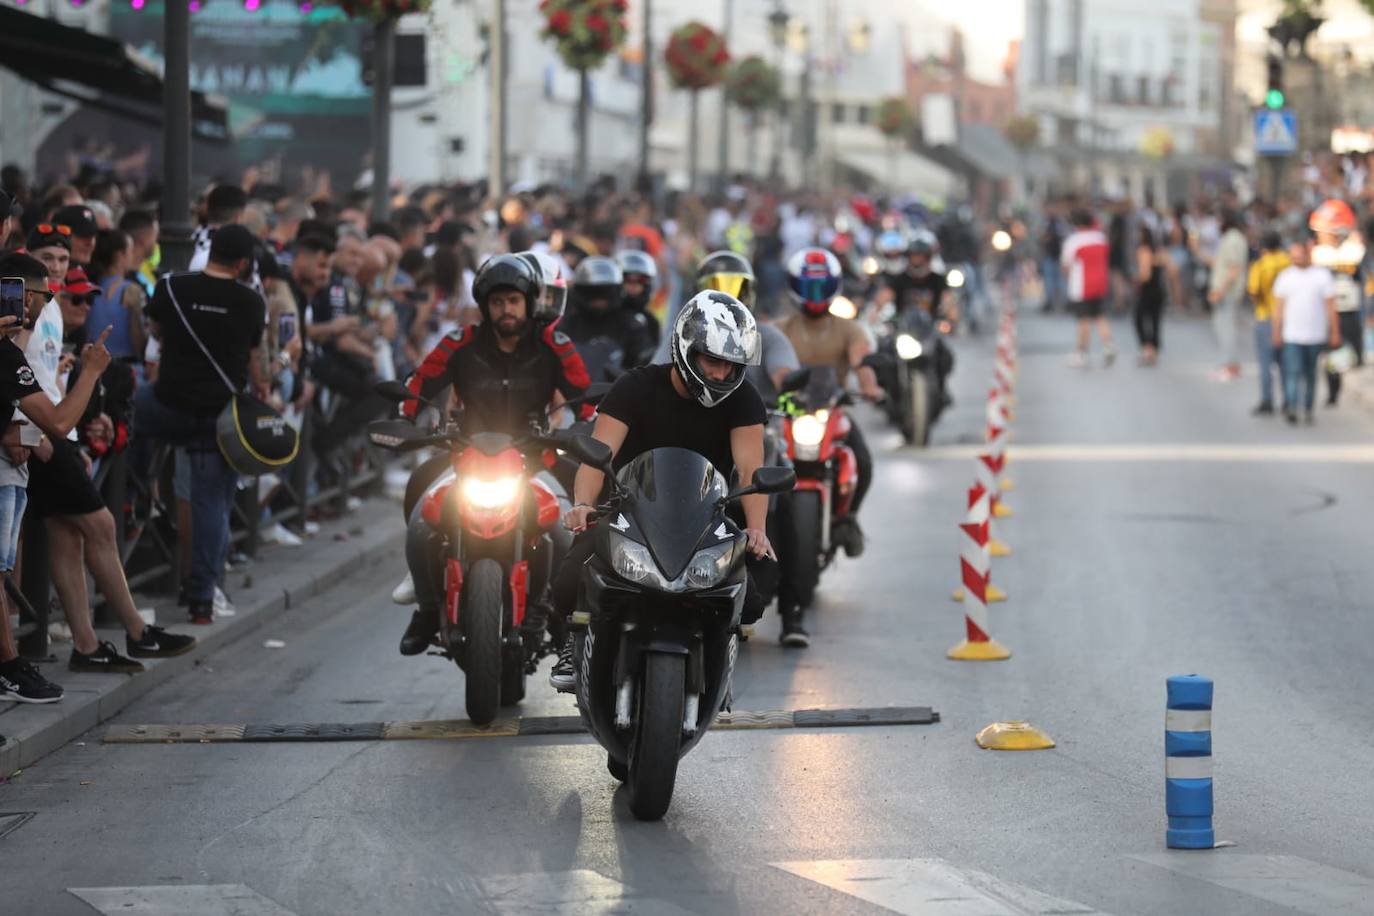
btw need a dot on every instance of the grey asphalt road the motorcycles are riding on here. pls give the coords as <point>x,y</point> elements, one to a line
<point>1218,545</point>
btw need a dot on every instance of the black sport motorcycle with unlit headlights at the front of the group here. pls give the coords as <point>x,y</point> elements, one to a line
<point>657,626</point>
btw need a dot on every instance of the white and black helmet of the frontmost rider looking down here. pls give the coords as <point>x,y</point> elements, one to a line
<point>718,325</point>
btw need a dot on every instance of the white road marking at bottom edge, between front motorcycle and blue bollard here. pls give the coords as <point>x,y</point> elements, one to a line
<point>932,888</point>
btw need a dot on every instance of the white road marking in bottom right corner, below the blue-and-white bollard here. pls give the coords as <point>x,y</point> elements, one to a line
<point>1285,881</point>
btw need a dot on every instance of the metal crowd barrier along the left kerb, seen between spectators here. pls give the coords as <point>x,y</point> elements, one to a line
<point>146,523</point>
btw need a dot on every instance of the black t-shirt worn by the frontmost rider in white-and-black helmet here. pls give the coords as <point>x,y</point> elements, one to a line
<point>646,402</point>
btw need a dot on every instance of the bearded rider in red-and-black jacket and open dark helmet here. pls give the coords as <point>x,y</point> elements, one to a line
<point>502,371</point>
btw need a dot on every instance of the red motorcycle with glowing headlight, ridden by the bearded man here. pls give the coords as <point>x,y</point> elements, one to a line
<point>497,518</point>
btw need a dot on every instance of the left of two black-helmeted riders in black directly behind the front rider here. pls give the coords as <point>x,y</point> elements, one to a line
<point>607,336</point>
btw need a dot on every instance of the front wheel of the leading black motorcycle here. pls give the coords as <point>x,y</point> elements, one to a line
<point>653,756</point>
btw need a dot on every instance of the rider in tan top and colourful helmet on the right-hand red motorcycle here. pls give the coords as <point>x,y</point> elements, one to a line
<point>824,340</point>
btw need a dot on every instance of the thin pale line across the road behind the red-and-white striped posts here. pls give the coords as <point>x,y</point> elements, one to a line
<point>1181,453</point>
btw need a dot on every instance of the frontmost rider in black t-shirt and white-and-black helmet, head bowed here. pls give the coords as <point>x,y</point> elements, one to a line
<point>701,402</point>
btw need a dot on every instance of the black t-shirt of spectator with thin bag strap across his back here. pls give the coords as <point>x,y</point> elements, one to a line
<point>227,317</point>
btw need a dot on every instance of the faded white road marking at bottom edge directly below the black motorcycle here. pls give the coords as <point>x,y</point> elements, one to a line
<point>581,892</point>
